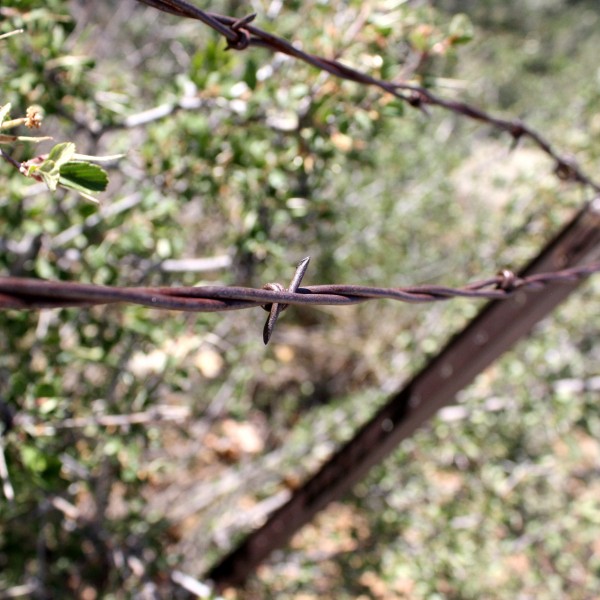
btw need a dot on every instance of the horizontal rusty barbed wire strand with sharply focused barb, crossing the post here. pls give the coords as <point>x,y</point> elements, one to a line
<point>26,293</point>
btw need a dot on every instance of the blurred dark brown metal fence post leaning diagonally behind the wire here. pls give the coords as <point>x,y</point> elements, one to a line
<point>498,326</point>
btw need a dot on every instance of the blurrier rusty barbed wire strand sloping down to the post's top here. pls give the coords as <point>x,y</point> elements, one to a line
<point>241,34</point>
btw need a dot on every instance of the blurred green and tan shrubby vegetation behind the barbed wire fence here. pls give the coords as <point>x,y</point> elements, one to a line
<point>145,444</point>
